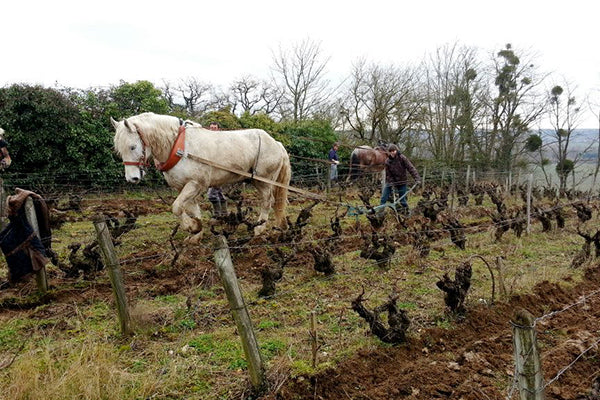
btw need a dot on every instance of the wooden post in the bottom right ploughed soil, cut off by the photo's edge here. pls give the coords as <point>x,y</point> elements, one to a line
<point>527,358</point>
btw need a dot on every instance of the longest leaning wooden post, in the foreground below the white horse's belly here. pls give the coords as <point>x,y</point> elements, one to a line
<point>240,314</point>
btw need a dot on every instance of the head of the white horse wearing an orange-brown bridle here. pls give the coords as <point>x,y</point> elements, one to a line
<point>130,146</point>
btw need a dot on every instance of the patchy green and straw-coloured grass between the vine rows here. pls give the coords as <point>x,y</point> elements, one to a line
<point>75,347</point>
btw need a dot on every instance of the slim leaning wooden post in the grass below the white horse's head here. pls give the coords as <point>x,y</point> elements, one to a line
<point>114,272</point>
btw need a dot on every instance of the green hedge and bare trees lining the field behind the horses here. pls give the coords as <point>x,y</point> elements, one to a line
<point>452,110</point>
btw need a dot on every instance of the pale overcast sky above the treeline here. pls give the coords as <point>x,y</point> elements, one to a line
<point>85,44</point>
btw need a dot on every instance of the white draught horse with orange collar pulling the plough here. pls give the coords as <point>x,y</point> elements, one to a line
<point>148,135</point>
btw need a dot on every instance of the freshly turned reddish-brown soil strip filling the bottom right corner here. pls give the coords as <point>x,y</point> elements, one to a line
<point>474,361</point>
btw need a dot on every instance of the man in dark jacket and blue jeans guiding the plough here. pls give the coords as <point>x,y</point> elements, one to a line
<point>396,167</point>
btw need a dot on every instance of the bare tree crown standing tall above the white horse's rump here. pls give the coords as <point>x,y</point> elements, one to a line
<point>300,72</point>
